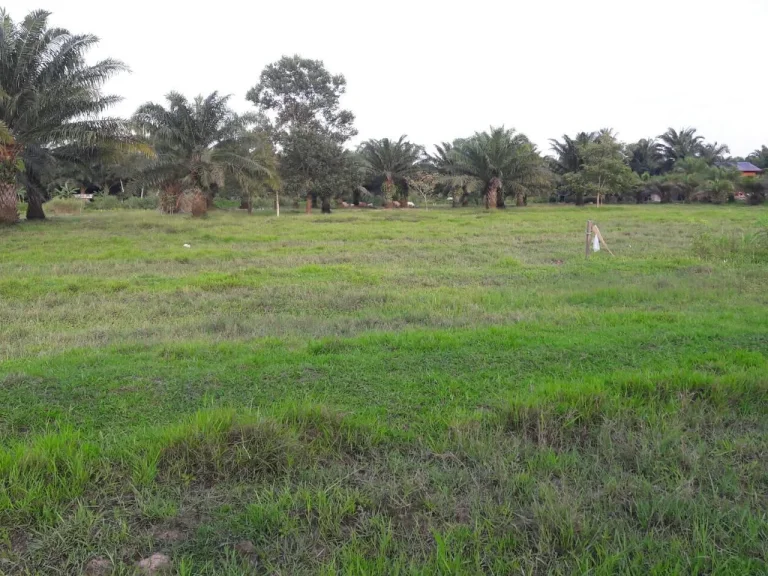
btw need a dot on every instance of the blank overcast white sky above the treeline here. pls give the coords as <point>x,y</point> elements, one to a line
<point>437,70</point>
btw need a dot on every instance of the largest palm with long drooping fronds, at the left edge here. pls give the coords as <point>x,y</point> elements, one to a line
<point>50,104</point>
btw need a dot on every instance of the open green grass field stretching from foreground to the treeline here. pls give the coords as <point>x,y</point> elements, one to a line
<point>386,392</point>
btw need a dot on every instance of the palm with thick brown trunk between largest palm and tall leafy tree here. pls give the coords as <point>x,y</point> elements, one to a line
<point>198,143</point>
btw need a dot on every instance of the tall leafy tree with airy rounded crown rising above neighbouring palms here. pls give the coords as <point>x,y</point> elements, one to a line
<point>300,103</point>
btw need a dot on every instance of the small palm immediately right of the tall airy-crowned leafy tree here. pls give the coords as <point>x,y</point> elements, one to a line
<point>392,160</point>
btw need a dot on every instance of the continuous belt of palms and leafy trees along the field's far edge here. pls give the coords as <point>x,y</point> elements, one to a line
<point>56,141</point>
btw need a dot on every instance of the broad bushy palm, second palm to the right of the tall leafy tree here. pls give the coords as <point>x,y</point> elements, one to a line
<point>498,161</point>
